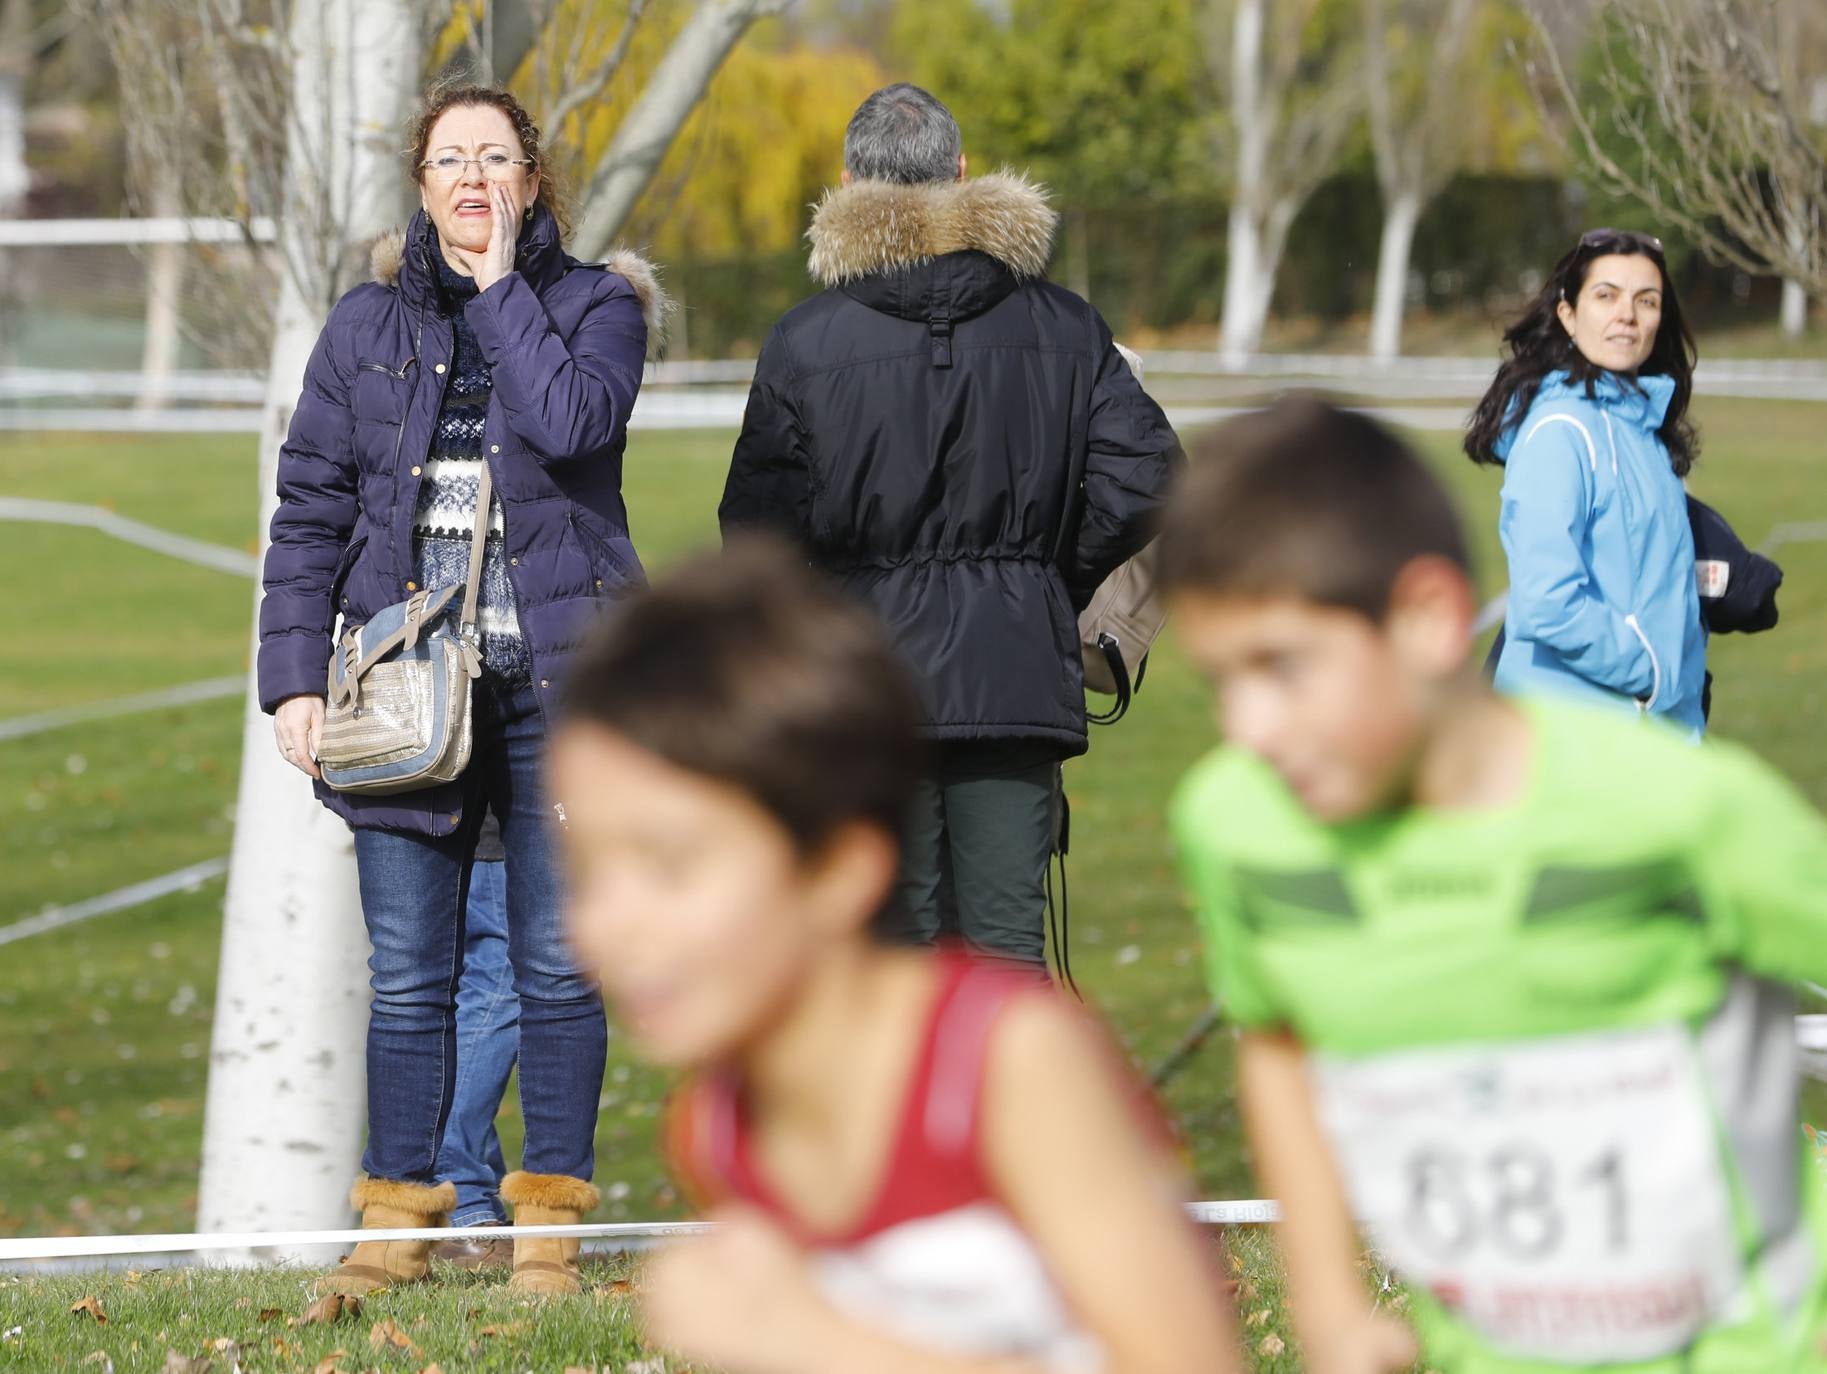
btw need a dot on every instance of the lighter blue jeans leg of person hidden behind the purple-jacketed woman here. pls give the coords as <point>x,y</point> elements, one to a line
<point>489,1035</point>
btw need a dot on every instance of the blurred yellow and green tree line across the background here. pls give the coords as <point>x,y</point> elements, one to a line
<point>1214,158</point>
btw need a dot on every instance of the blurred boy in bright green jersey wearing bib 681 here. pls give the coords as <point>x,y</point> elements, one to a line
<point>1510,977</point>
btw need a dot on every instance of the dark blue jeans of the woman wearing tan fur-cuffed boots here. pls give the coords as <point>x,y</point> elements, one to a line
<point>414,896</point>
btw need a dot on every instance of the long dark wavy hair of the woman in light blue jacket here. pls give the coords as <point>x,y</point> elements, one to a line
<point>1539,344</point>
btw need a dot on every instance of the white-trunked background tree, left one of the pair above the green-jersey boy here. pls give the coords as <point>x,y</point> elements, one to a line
<point>1293,107</point>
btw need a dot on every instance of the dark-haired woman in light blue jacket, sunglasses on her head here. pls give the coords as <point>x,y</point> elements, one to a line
<point>1589,421</point>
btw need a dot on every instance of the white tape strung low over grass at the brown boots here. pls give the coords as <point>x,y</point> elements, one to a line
<point>85,1247</point>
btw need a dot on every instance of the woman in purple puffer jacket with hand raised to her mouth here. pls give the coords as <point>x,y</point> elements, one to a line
<point>480,343</point>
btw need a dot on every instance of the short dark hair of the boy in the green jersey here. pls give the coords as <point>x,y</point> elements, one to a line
<point>1305,500</point>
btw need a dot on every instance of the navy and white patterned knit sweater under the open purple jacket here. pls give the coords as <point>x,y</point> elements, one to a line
<point>450,487</point>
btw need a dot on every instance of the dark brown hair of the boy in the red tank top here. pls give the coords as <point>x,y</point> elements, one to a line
<point>750,670</point>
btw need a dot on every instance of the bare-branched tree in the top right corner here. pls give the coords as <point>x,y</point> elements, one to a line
<point>1704,112</point>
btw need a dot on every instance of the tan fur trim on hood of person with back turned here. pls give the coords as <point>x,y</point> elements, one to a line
<point>880,226</point>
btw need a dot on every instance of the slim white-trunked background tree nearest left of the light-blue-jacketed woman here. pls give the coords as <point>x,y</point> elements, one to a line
<point>1417,85</point>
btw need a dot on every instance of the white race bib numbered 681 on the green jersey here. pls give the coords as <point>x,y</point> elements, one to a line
<point>1563,1198</point>
